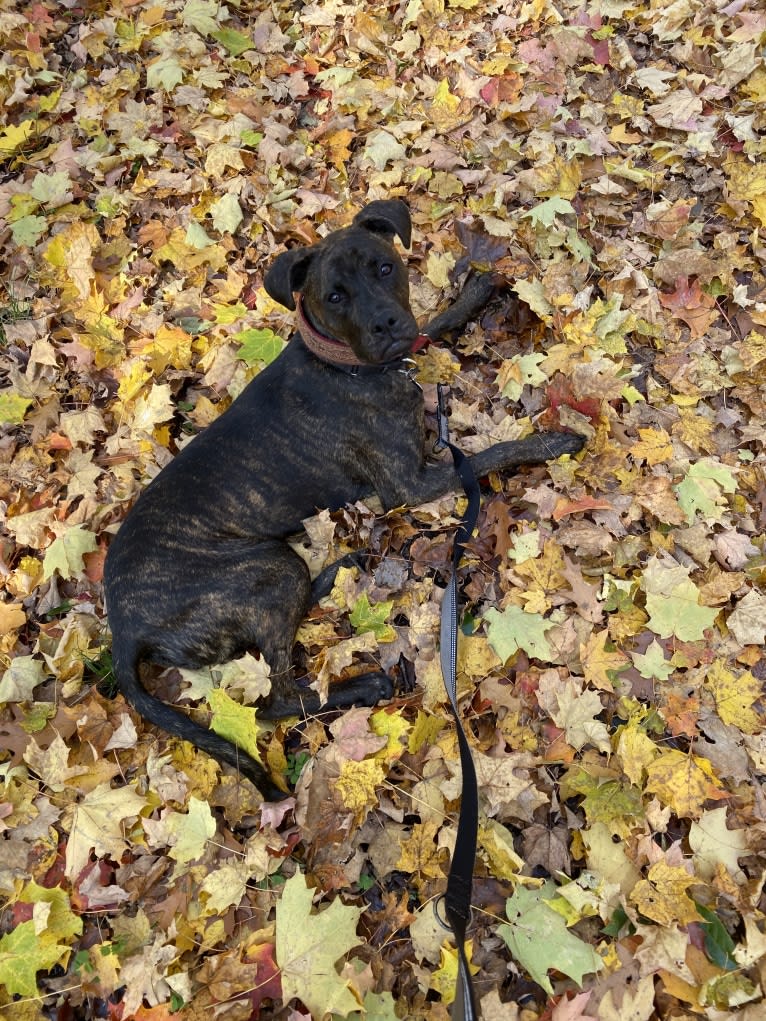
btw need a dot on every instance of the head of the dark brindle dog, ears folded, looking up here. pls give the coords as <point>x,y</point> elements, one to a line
<point>354,285</point>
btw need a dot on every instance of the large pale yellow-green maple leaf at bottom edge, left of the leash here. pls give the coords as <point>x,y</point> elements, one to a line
<point>309,948</point>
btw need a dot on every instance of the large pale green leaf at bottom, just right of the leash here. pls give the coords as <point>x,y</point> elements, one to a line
<point>540,940</point>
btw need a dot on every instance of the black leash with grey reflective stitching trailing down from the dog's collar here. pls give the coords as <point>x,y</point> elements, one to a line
<point>458,897</point>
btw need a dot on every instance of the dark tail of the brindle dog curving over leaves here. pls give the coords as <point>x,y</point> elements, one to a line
<point>126,662</point>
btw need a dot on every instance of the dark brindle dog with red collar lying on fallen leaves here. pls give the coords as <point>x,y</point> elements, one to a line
<point>201,571</point>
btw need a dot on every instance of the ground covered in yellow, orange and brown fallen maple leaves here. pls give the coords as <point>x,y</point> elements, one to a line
<point>609,162</point>
